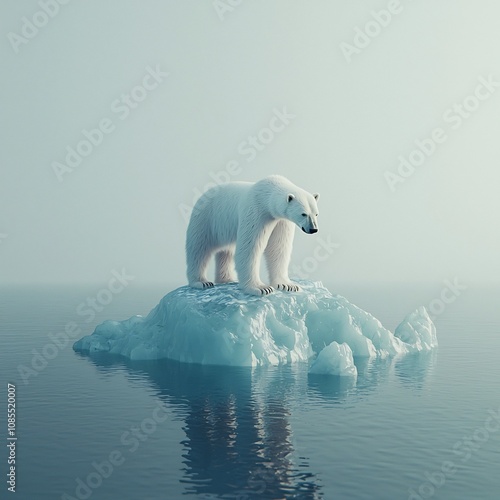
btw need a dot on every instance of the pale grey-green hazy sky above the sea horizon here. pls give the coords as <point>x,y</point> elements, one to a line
<point>347,114</point>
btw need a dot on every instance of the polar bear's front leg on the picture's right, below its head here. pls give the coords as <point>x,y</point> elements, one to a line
<point>278,253</point>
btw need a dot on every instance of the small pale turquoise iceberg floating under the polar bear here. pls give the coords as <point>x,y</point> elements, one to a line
<point>224,326</point>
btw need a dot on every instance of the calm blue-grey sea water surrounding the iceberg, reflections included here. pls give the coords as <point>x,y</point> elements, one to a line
<point>181,431</point>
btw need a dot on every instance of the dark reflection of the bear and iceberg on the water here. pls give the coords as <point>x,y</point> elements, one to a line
<point>237,420</point>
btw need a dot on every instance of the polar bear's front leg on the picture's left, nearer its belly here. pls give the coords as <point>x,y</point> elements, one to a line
<point>253,236</point>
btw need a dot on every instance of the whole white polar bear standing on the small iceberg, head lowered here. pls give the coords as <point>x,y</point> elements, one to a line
<point>240,221</point>
